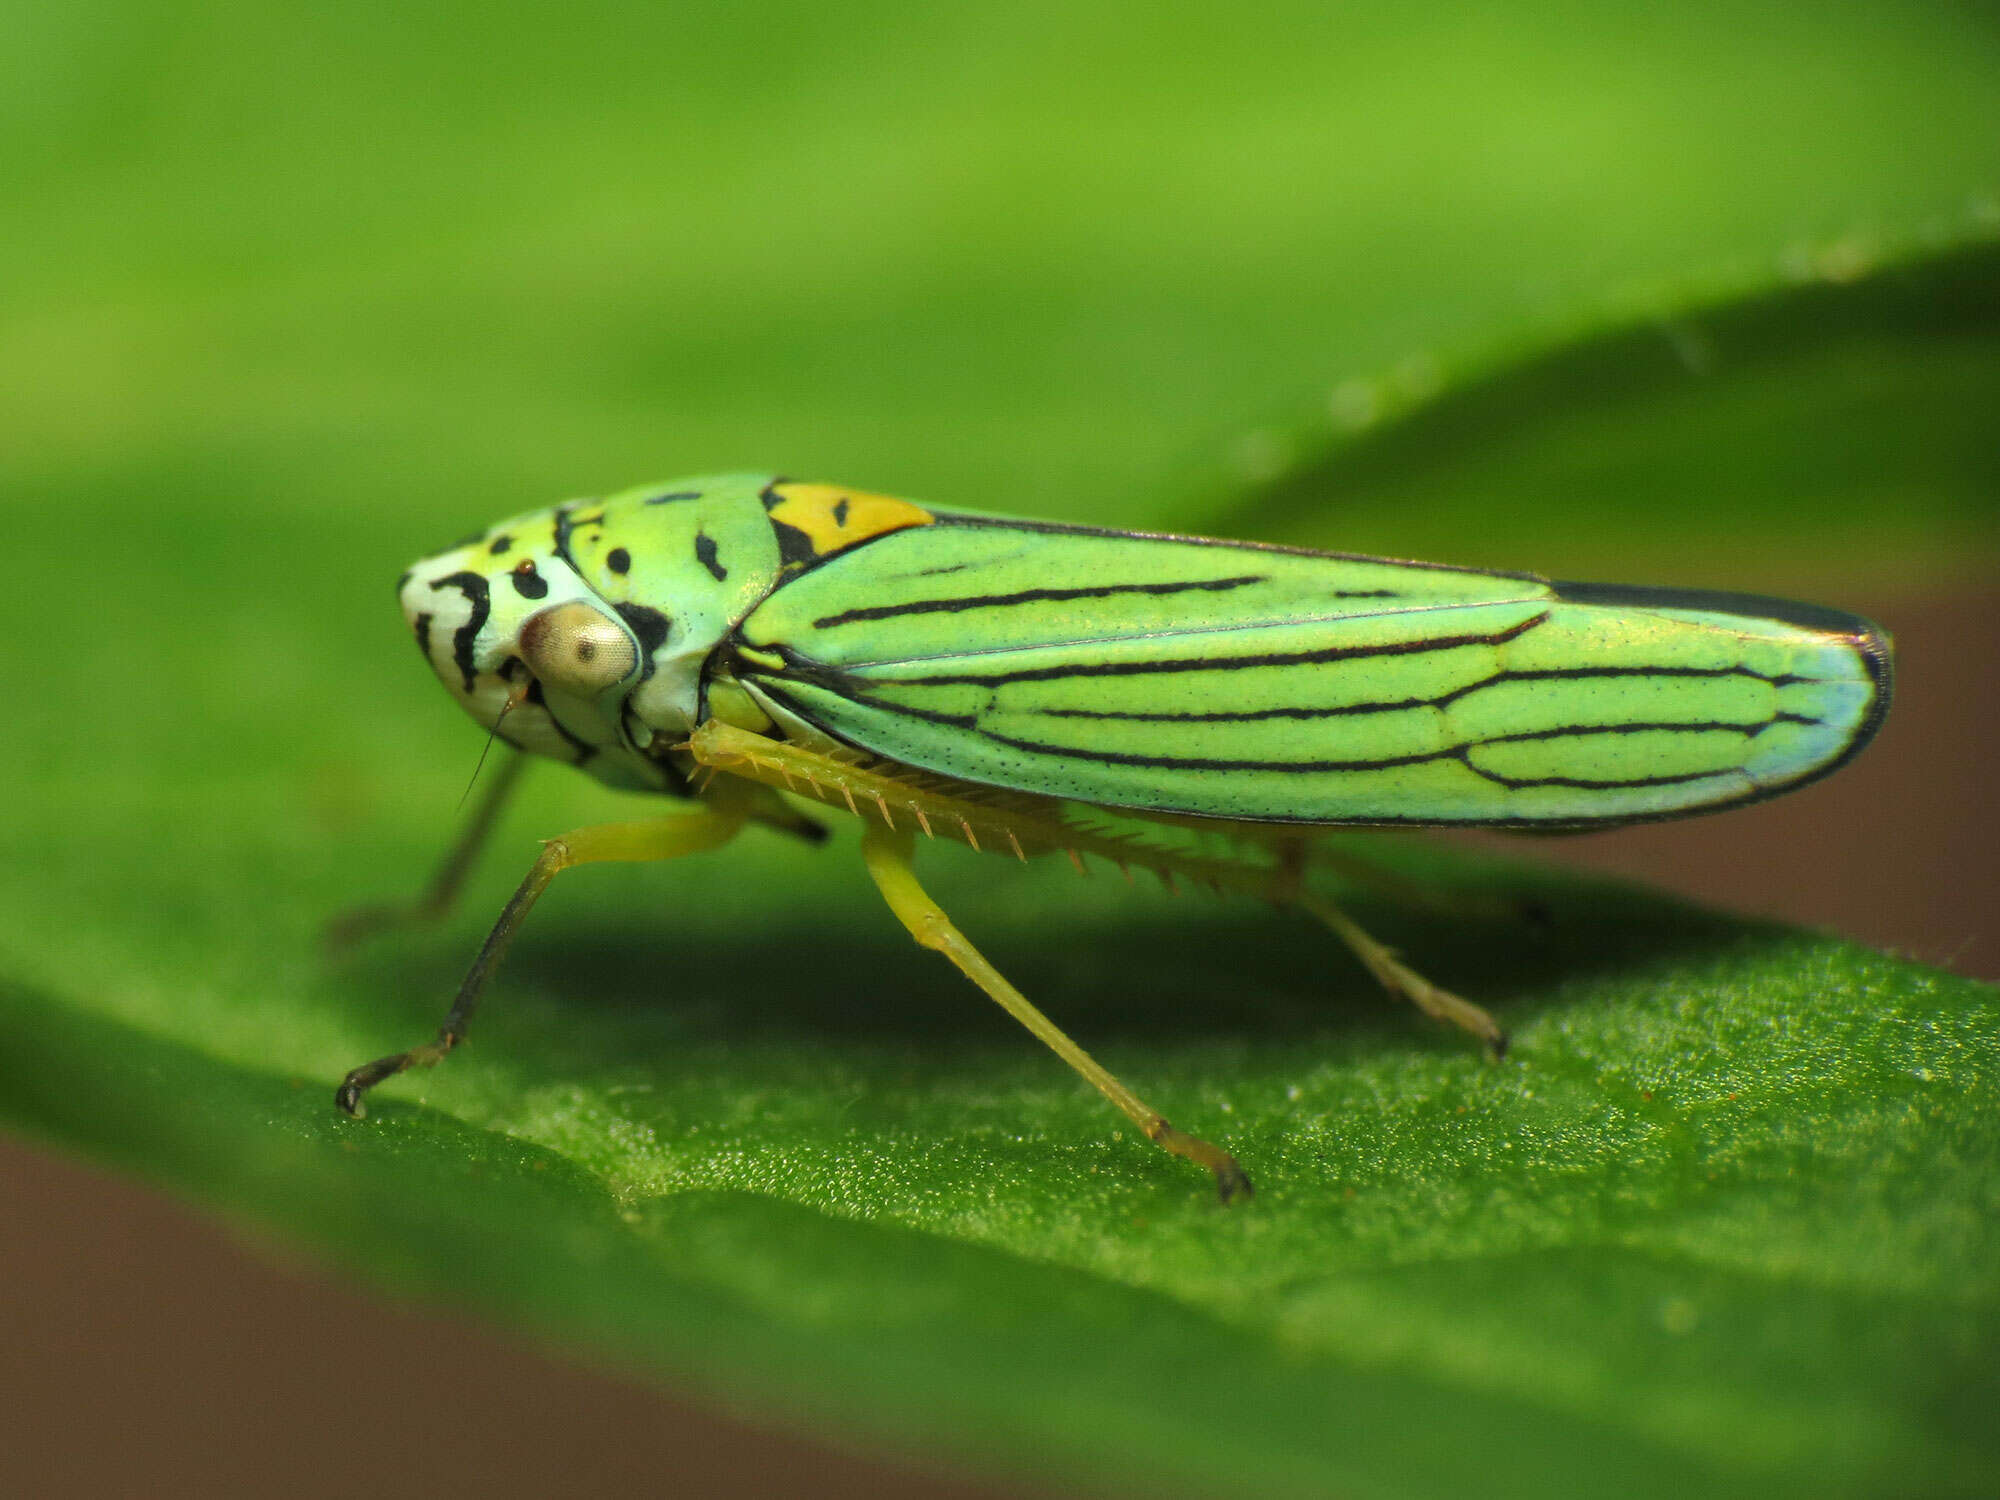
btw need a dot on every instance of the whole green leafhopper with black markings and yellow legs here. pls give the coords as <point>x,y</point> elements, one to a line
<point>1189,707</point>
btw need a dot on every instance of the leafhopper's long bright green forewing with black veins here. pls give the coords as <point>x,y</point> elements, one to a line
<point>1237,681</point>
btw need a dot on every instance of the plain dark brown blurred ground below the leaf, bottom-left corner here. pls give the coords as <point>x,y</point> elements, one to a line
<point>149,1353</point>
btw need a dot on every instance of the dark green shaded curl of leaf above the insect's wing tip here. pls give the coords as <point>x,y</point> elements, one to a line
<point>1833,409</point>
